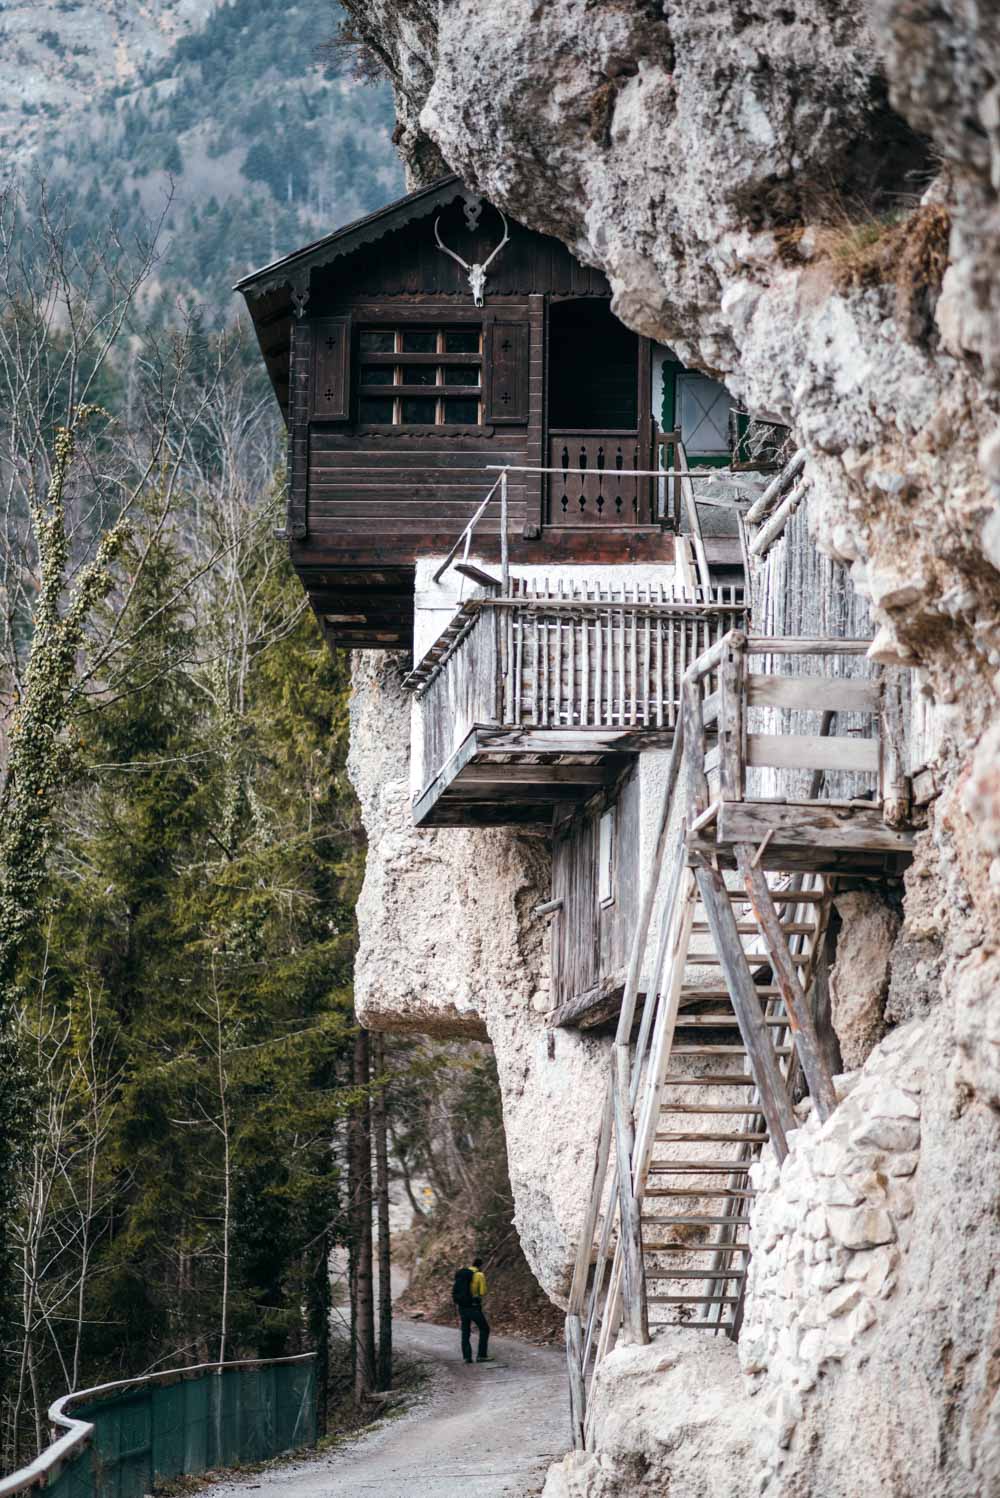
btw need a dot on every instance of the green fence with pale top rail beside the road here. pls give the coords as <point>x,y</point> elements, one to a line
<point>122,1439</point>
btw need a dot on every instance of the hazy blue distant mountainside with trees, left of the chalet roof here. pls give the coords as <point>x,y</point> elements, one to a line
<point>234,118</point>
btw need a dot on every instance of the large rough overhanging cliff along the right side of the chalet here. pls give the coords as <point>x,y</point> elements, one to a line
<point>733,167</point>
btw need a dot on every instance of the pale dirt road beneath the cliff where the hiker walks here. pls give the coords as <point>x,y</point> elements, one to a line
<point>484,1431</point>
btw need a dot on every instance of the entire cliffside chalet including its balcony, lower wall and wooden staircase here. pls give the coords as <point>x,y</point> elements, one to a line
<point>460,396</point>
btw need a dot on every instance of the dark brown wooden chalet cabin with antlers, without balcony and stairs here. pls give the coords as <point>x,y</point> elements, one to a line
<point>405,387</point>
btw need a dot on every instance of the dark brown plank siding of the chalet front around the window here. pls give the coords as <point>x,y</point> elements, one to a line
<point>375,497</point>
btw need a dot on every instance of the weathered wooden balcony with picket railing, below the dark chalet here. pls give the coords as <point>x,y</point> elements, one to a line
<point>541,699</point>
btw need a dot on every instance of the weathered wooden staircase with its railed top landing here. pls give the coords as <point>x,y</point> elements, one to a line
<point>718,1033</point>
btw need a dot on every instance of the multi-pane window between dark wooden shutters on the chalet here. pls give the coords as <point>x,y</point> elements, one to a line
<point>421,377</point>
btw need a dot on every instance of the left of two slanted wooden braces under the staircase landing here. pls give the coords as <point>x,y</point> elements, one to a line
<point>764,1064</point>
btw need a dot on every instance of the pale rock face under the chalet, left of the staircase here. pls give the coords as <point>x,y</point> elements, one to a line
<point>448,946</point>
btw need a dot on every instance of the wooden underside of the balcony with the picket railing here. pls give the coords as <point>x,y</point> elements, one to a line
<point>516,777</point>
